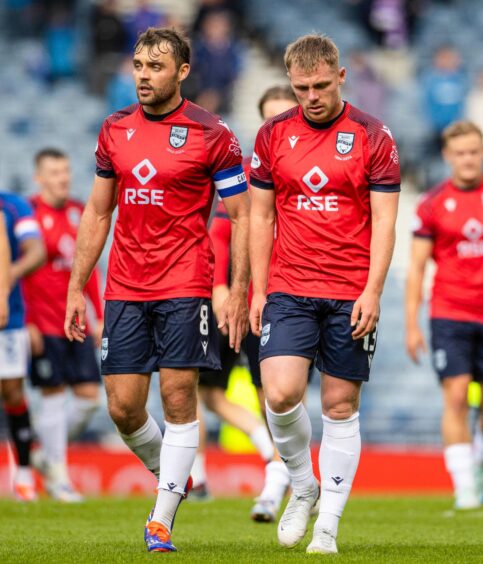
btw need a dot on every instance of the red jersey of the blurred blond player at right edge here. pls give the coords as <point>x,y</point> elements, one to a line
<point>453,219</point>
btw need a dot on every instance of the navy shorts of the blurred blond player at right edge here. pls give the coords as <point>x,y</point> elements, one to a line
<point>457,348</point>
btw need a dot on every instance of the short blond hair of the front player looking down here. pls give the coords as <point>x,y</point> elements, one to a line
<point>308,51</point>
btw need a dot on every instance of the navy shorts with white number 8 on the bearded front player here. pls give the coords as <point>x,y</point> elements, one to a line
<point>141,337</point>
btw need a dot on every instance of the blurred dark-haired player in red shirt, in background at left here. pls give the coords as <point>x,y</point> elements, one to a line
<point>57,362</point>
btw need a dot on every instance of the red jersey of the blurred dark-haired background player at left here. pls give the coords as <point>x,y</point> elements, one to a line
<point>45,290</point>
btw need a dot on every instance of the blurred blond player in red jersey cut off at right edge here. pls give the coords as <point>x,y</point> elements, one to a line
<point>449,229</point>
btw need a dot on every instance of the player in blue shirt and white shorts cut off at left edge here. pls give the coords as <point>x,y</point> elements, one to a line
<point>27,254</point>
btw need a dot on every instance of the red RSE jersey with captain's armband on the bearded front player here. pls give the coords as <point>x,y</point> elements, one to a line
<point>167,168</point>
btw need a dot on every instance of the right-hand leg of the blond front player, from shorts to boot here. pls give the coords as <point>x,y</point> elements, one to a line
<point>346,364</point>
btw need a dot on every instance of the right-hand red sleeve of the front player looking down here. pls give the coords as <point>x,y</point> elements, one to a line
<point>384,174</point>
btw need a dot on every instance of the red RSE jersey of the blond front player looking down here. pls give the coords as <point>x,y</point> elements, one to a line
<point>322,175</point>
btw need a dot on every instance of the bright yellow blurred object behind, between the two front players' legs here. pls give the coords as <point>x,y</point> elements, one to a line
<point>243,392</point>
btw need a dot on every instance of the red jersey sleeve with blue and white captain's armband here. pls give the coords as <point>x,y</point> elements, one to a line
<point>225,162</point>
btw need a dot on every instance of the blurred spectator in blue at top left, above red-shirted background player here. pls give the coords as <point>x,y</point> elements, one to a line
<point>60,45</point>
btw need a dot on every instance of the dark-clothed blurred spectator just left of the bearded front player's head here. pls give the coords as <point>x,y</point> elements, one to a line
<point>109,40</point>
